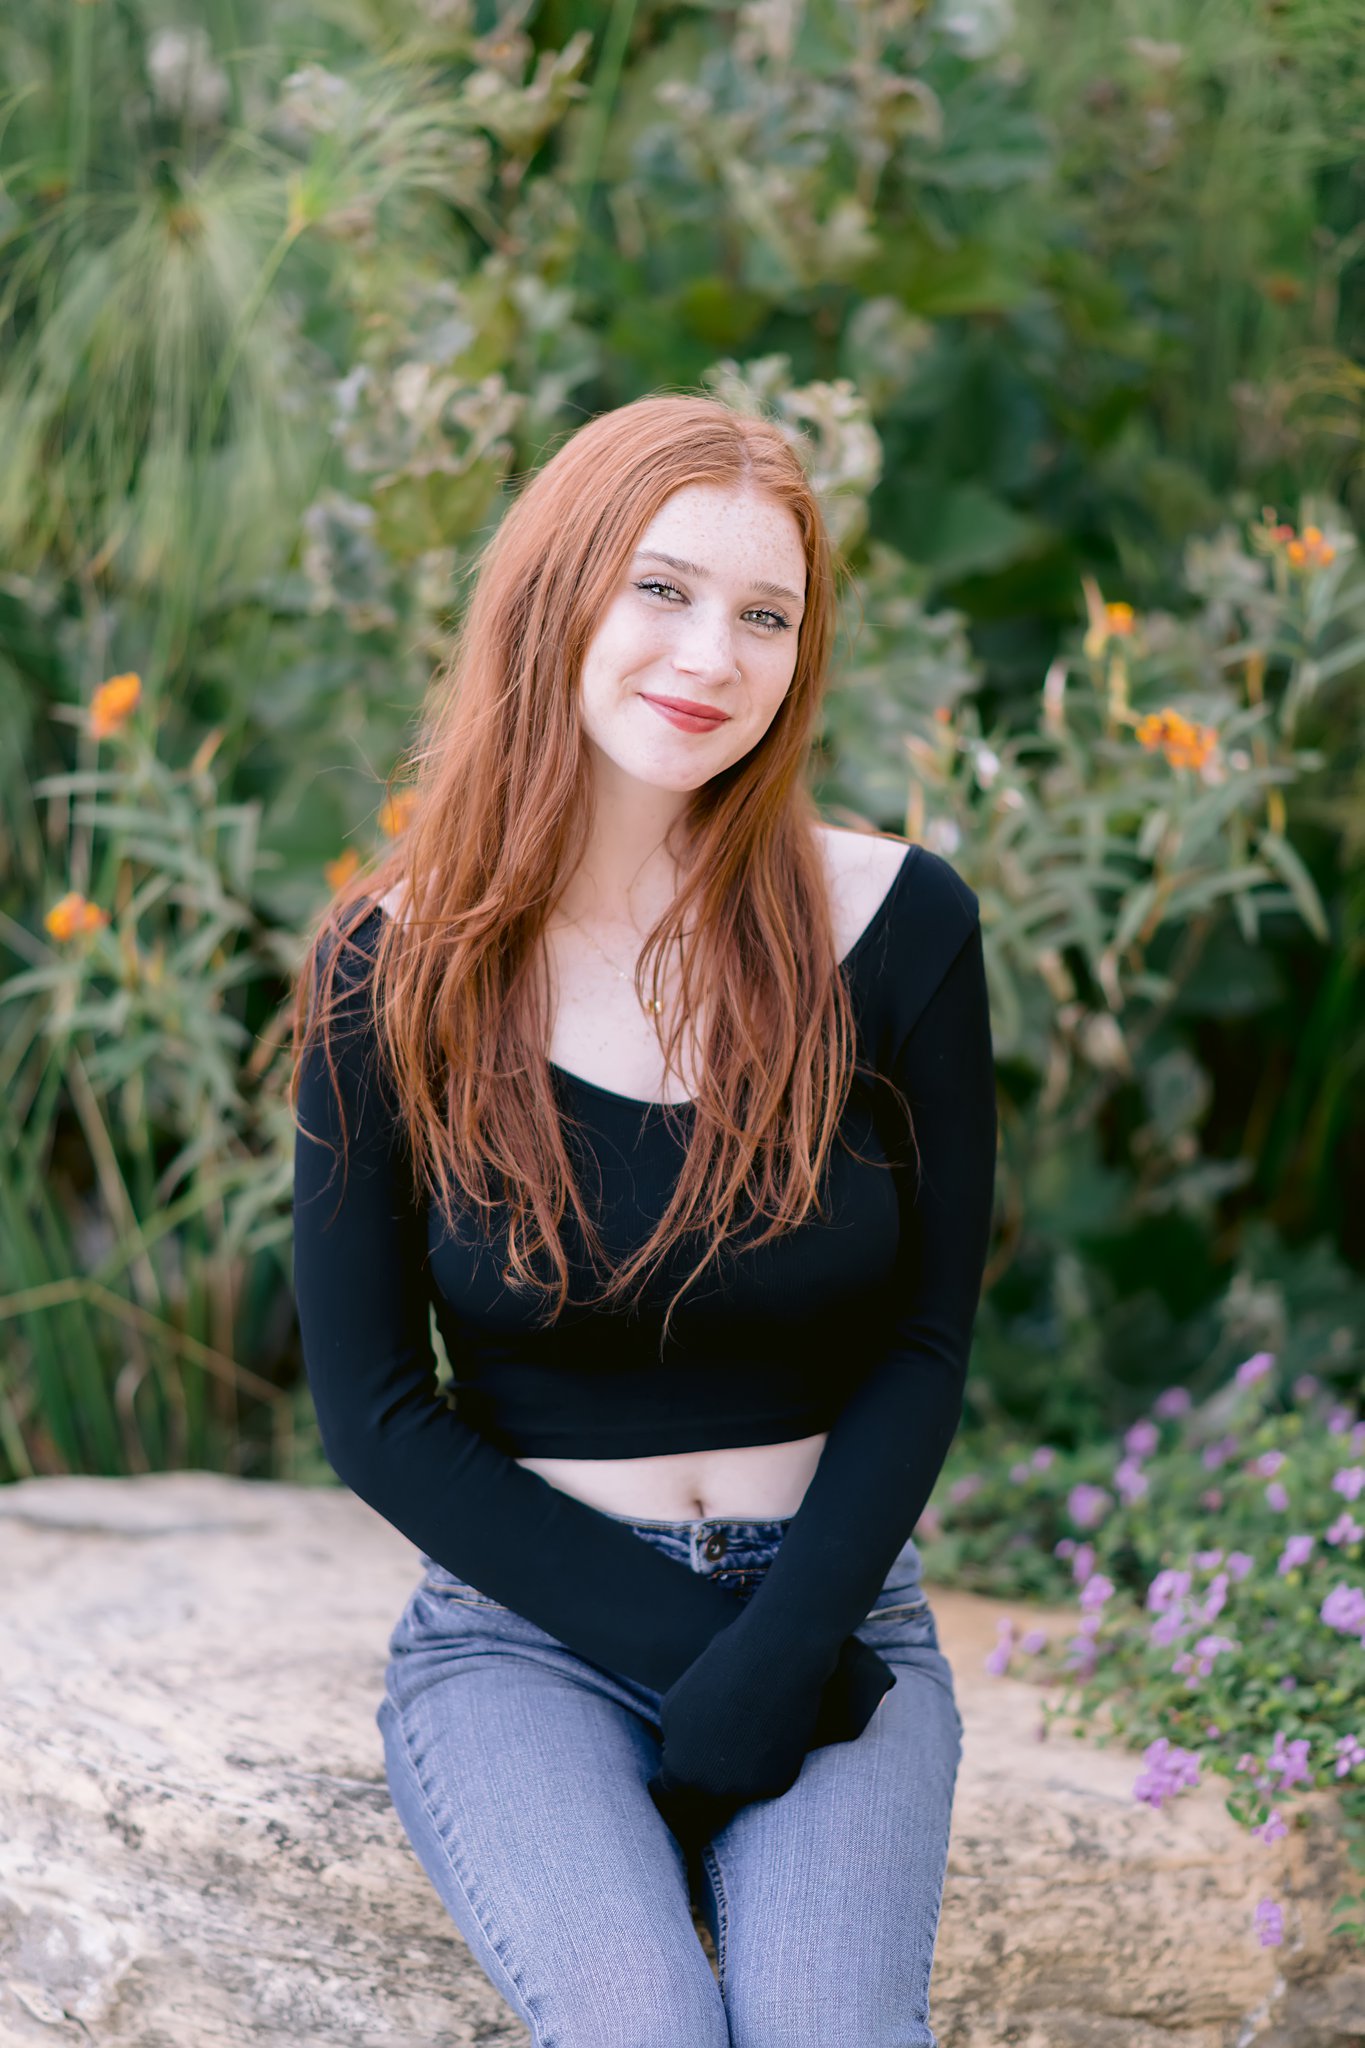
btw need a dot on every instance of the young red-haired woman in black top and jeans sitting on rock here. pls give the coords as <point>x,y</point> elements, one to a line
<point>678,1109</point>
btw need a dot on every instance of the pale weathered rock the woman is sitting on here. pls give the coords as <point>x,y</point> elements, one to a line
<point>197,1844</point>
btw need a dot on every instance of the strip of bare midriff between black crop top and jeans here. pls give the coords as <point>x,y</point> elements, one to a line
<point>750,1484</point>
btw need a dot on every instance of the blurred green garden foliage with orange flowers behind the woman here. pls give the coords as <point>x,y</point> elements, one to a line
<point>1069,321</point>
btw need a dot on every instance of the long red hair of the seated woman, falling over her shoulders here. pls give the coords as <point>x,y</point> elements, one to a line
<point>500,812</point>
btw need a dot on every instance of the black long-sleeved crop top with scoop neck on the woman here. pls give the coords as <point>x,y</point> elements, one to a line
<point>856,1324</point>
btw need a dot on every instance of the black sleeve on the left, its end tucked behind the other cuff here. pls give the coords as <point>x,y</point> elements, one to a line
<point>363,1304</point>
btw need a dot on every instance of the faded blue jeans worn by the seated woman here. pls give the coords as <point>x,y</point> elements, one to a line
<point>521,1775</point>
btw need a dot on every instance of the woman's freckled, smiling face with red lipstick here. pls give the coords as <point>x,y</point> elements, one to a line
<point>682,632</point>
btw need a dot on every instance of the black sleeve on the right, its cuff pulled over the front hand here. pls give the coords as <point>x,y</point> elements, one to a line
<point>887,1447</point>
